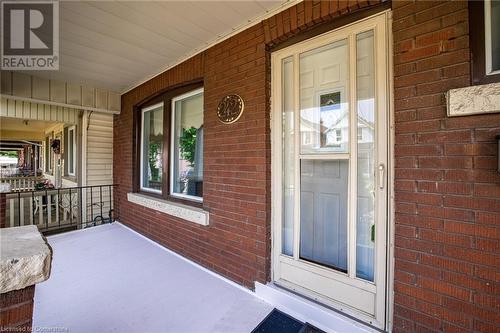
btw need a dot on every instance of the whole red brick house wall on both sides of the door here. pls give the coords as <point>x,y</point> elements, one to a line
<point>447,189</point>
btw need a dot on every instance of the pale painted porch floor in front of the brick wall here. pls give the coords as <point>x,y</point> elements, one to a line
<point>110,279</point>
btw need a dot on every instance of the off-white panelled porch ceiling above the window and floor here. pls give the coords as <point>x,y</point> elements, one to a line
<point>116,45</point>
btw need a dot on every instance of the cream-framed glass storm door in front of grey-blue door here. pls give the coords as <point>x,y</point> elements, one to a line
<point>329,168</point>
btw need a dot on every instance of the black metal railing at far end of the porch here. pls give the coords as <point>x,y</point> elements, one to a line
<point>62,209</point>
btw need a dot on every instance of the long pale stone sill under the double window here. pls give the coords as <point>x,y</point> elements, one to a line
<point>191,214</point>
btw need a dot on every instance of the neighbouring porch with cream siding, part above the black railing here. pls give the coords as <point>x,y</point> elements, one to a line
<point>78,120</point>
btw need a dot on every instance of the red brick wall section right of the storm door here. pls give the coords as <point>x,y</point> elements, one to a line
<point>447,187</point>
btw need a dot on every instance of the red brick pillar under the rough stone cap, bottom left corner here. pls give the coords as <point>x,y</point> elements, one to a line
<point>16,310</point>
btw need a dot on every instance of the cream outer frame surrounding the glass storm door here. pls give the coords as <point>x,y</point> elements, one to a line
<point>383,315</point>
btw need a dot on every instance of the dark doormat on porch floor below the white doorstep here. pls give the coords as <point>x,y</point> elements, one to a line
<point>279,322</point>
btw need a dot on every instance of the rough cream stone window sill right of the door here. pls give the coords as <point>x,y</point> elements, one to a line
<point>473,100</point>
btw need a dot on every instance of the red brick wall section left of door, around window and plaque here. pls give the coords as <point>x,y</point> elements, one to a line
<point>237,157</point>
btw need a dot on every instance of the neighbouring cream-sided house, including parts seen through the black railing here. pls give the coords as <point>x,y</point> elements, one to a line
<point>71,131</point>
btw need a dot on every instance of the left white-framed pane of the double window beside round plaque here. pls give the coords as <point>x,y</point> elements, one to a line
<point>152,148</point>
